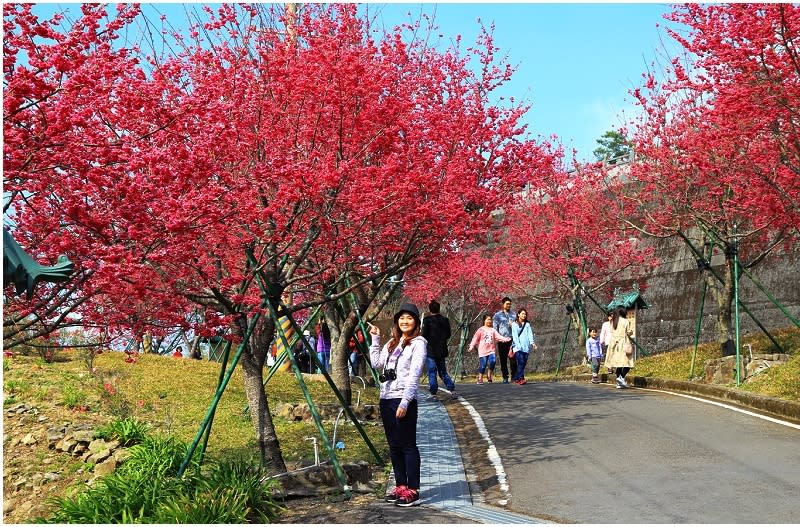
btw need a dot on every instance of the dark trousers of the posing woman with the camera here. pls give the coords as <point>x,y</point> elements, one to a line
<point>401,434</point>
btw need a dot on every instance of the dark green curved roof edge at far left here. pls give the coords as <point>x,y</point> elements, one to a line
<point>24,272</point>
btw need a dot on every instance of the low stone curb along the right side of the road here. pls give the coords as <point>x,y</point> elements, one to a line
<point>771,406</point>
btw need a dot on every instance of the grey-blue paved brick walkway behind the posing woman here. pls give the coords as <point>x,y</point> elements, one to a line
<point>444,480</point>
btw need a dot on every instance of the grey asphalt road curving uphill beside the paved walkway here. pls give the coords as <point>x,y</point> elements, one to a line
<point>592,454</point>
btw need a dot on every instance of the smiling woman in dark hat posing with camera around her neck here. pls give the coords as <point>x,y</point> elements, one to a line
<point>401,361</point>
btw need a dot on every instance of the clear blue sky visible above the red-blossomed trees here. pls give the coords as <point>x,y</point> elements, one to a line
<point>576,62</point>
